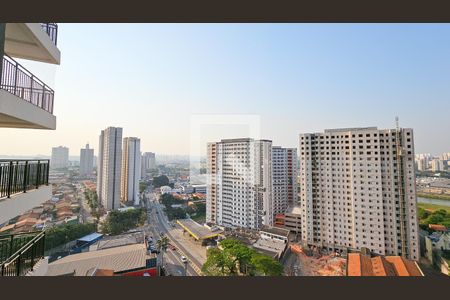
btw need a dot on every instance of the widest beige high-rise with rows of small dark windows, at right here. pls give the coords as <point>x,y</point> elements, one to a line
<point>358,190</point>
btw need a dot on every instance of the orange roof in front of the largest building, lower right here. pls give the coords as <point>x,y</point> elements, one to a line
<point>364,265</point>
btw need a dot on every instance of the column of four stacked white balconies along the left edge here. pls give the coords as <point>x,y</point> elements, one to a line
<point>25,102</point>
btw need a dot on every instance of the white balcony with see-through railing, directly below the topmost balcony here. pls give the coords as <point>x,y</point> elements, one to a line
<point>25,101</point>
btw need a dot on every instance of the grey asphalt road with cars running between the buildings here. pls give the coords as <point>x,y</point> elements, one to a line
<point>157,224</point>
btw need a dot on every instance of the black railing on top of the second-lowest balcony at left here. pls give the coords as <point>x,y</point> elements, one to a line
<point>19,176</point>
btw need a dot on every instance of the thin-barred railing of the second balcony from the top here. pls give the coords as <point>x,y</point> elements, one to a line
<point>20,82</point>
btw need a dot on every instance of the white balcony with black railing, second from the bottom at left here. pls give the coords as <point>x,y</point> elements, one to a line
<point>23,185</point>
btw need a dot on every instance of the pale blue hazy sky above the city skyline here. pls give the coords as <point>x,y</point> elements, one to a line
<point>151,79</point>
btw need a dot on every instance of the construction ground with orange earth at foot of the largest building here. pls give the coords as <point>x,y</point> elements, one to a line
<point>312,262</point>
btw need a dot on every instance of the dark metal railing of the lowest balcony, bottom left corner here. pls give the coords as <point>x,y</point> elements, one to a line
<point>20,262</point>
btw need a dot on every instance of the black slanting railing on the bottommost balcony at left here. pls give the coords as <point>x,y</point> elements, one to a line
<point>25,258</point>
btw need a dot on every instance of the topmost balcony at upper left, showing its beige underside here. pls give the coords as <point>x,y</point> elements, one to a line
<point>33,41</point>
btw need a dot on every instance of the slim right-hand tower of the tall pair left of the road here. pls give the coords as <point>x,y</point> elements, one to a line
<point>131,170</point>
